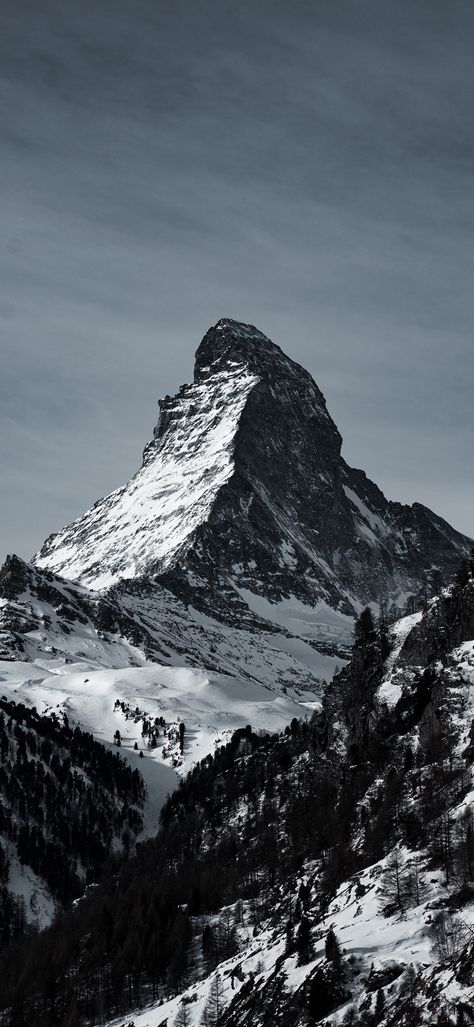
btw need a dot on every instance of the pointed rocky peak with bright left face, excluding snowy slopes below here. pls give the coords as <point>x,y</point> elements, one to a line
<point>244,499</point>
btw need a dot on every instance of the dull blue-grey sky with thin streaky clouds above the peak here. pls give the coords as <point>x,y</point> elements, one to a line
<point>305,166</point>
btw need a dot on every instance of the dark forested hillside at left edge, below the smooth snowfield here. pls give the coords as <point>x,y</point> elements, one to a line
<point>67,806</point>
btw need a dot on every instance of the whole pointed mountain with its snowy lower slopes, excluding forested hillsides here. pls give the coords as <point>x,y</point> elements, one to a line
<point>220,586</point>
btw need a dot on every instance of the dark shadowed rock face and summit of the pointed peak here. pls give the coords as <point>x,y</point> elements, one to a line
<point>285,495</point>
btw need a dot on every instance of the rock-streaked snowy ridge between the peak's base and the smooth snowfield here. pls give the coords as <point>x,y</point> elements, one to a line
<point>44,617</point>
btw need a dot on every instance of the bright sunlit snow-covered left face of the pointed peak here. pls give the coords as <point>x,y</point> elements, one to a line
<point>154,518</point>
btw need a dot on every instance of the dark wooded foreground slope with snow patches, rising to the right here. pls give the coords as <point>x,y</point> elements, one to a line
<point>331,868</point>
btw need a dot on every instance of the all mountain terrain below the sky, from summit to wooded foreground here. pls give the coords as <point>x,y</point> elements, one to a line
<point>250,649</point>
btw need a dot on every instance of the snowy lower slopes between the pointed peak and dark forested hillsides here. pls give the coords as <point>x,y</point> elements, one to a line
<point>77,652</point>
